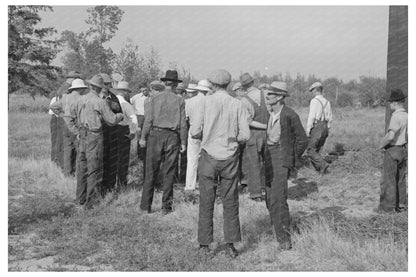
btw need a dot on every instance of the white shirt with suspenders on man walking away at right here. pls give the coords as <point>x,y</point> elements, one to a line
<point>316,113</point>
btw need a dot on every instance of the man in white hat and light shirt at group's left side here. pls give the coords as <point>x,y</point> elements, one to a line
<point>63,108</point>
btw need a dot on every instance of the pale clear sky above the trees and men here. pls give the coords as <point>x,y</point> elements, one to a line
<point>327,41</point>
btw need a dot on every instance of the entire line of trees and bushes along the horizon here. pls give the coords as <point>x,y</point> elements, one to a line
<point>32,50</point>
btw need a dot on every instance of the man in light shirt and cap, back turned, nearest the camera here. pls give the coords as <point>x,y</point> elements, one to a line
<point>222,124</point>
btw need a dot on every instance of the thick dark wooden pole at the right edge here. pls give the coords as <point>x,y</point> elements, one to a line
<point>397,57</point>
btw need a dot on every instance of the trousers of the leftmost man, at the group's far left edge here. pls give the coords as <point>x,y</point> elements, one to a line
<point>57,137</point>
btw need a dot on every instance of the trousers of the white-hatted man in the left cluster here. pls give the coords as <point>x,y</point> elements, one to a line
<point>70,151</point>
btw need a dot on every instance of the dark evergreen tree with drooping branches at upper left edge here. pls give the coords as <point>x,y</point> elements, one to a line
<point>30,51</point>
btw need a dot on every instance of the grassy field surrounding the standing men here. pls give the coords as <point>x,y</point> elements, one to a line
<point>334,228</point>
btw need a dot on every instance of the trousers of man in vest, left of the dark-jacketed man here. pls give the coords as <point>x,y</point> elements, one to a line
<point>254,154</point>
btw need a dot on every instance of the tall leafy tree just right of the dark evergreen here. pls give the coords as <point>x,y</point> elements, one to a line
<point>86,52</point>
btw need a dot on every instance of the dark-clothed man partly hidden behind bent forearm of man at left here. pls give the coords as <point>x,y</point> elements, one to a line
<point>110,133</point>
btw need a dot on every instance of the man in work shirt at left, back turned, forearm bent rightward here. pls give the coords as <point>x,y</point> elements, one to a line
<point>92,112</point>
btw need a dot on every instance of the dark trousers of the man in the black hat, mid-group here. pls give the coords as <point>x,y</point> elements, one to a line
<point>162,154</point>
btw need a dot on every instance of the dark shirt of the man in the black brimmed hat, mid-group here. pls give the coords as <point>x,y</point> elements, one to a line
<point>165,110</point>
